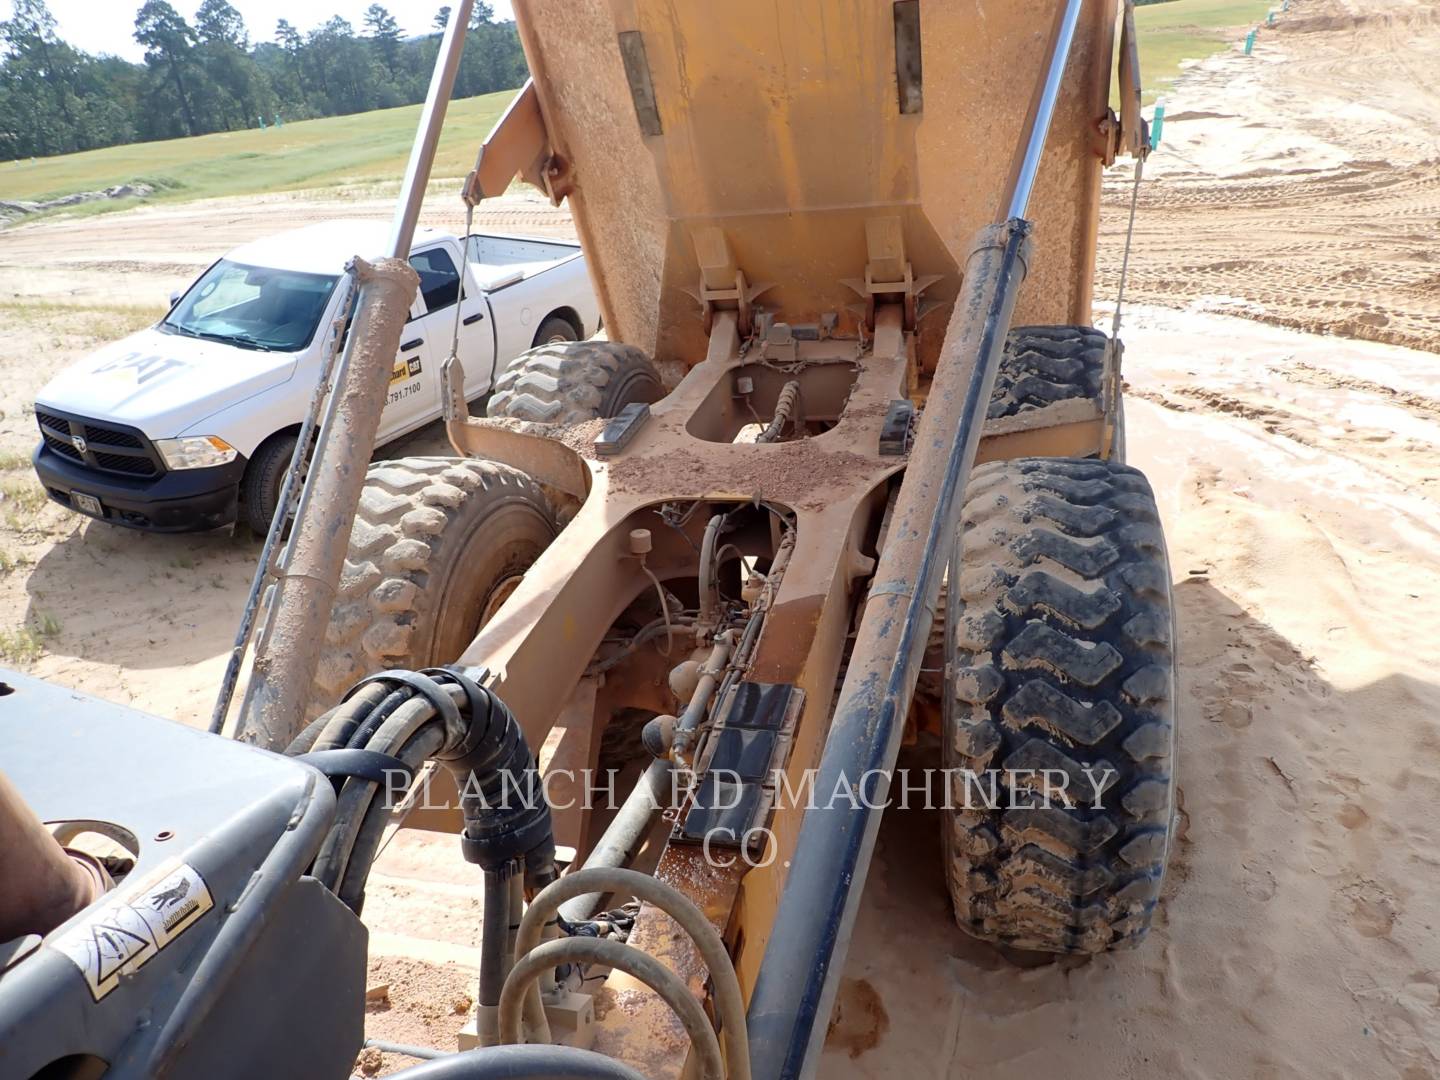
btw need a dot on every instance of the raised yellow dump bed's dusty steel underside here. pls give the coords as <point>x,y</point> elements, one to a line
<point>781,129</point>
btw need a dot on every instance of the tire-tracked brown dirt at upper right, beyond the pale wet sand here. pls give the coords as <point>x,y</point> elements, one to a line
<point>1302,185</point>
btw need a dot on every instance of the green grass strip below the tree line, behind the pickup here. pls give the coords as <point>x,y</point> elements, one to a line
<point>369,148</point>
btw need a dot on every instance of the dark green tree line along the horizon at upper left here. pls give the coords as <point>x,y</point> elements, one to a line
<point>207,74</point>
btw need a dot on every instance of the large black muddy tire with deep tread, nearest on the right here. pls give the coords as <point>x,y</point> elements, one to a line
<point>1061,643</point>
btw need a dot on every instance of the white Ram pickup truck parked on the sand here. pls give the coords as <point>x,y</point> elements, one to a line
<point>191,424</point>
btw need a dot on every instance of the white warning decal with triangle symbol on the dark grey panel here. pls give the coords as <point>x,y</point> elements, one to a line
<point>135,924</point>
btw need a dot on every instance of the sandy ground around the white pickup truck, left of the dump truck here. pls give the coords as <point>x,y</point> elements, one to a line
<point>68,286</point>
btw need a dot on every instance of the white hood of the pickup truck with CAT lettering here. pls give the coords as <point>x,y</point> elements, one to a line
<point>163,384</point>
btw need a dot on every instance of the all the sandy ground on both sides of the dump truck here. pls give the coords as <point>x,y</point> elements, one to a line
<point>1298,480</point>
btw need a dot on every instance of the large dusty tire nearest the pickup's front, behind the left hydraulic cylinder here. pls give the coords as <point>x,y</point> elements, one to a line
<point>437,546</point>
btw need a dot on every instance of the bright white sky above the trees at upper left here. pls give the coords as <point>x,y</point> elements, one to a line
<point>110,25</point>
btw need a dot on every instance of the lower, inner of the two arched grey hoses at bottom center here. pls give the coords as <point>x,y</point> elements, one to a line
<point>636,964</point>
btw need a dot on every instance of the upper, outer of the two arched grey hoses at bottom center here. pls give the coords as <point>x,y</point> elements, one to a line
<point>729,1002</point>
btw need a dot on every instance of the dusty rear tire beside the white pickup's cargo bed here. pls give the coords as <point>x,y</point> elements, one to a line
<point>574,382</point>
